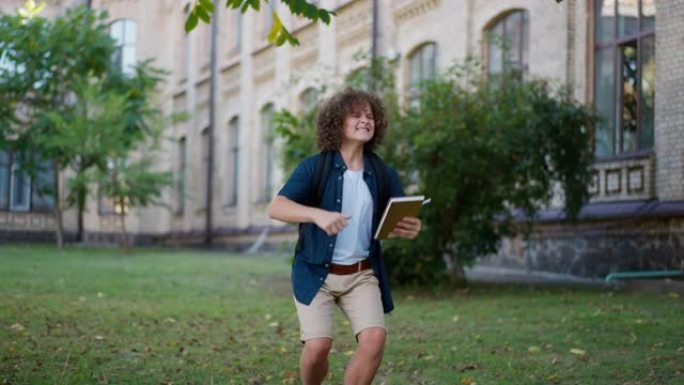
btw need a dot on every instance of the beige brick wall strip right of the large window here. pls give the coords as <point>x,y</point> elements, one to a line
<point>669,110</point>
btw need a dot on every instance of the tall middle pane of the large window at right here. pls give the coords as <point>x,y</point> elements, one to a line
<point>629,79</point>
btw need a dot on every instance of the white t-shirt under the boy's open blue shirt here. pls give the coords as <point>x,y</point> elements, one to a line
<point>353,242</point>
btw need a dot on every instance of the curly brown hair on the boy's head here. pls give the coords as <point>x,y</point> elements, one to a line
<point>330,121</point>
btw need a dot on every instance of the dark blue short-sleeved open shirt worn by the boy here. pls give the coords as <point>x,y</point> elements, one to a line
<point>312,264</point>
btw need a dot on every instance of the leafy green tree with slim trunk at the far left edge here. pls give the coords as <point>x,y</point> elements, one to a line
<point>43,60</point>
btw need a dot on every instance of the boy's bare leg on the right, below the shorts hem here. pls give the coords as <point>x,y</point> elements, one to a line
<point>367,358</point>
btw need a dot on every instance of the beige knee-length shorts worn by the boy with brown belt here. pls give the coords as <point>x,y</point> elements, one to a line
<point>358,295</point>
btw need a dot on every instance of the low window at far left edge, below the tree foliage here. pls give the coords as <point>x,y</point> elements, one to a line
<point>20,192</point>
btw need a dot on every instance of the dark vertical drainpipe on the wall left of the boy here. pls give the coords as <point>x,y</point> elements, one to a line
<point>213,79</point>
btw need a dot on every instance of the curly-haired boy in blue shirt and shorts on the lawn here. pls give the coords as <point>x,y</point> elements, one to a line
<point>337,261</point>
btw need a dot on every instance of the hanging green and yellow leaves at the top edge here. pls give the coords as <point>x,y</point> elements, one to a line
<point>279,34</point>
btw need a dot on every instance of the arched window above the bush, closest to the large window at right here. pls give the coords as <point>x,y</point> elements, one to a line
<point>508,44</point>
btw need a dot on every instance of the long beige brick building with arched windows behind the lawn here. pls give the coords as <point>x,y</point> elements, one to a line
<point>615,54</point>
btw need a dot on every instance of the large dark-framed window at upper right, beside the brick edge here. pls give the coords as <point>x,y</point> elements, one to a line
<point>624,75</point>
